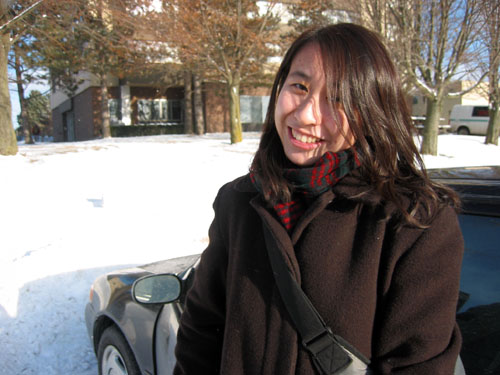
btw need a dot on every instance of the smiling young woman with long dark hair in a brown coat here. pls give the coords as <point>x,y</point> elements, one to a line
<point>374,244</point>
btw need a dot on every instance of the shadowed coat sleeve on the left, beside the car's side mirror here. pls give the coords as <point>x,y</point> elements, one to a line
<point>201,329</point>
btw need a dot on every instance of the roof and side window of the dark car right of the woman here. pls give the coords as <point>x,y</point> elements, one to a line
<point>479,317</point>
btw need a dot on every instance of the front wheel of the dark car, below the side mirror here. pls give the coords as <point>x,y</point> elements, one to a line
<point>114,355</point>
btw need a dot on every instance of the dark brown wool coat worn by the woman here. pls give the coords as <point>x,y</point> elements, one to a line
<point>392,294</point>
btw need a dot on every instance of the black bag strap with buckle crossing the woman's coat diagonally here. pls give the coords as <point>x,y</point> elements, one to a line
<point>317,338</point>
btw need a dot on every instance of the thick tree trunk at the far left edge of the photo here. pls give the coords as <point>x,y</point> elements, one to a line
<point>8,142</point>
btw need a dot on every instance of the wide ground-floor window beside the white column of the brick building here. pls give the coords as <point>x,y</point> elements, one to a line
<point>159,111</point>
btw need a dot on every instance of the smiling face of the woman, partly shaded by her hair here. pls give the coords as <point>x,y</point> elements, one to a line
<point>303,116</point>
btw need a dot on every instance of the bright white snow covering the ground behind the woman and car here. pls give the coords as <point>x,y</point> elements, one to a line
<point>72,211</point>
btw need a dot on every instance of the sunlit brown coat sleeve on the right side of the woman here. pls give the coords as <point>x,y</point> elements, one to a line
<point>416,325</point>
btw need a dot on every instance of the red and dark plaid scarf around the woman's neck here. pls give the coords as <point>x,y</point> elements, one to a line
<point>309,182</point>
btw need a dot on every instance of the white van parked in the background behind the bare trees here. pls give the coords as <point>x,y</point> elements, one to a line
<point>469,119</point>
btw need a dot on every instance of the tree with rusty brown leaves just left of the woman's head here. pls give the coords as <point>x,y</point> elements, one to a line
<point>227,42</point>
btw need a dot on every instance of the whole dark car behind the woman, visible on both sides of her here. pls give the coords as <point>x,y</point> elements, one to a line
<point>132,316</point>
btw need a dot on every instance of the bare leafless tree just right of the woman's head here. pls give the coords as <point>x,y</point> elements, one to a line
<point>438,47</point>
